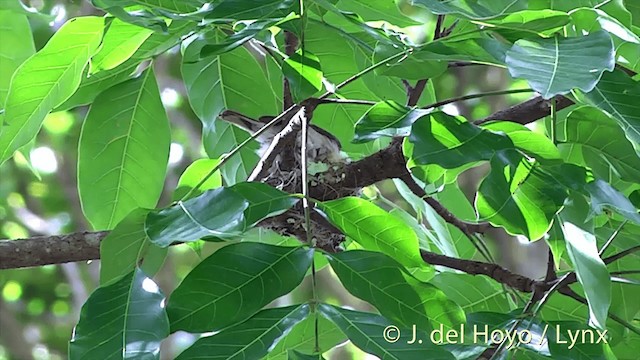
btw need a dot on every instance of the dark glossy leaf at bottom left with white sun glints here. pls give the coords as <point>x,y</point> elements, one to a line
<point>124,320</point>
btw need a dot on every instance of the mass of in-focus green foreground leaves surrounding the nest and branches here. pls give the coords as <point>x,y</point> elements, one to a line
<point>571,179</point>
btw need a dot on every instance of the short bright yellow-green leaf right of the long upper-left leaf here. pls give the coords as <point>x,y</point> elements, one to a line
<point>120,42</point>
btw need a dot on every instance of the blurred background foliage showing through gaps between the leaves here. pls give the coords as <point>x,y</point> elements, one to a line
<point>39,306</point>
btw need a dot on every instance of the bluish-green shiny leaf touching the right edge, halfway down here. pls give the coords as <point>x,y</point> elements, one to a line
<point>604,195</point>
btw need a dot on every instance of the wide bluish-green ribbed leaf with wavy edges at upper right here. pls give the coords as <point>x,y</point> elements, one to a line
<point>558,65</point>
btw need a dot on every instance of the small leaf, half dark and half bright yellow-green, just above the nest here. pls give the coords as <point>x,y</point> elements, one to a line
<point>304,73</point>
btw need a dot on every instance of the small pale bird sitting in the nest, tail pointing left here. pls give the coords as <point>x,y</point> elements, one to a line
<point>322,146</point>
